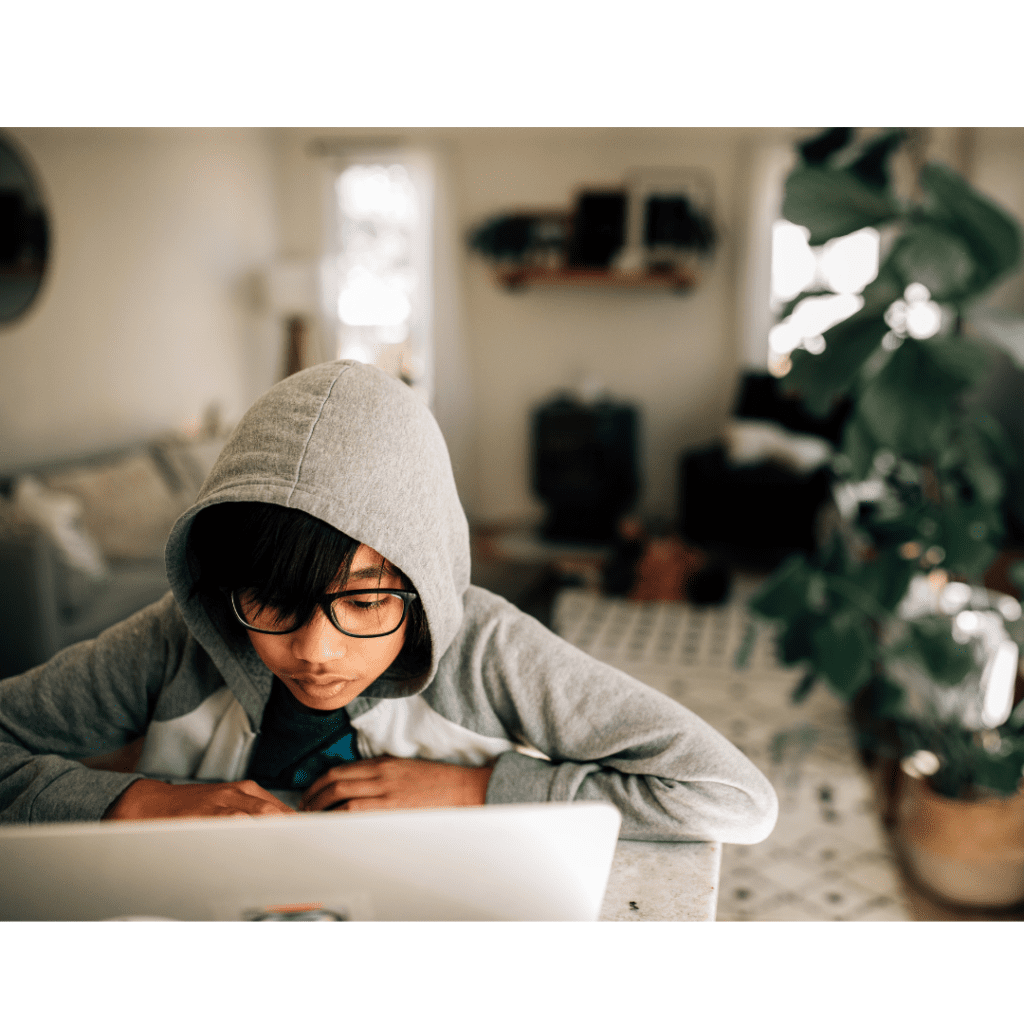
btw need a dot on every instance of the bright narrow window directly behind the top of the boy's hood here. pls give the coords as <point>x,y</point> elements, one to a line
<point>377,268</point>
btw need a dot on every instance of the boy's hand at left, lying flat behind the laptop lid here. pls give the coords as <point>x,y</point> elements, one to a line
<point>149,799</point>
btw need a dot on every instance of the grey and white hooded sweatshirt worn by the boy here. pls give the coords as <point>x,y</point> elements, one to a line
<point>349,445</point>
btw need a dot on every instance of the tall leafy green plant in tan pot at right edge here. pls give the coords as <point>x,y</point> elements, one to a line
<point>891,612</point>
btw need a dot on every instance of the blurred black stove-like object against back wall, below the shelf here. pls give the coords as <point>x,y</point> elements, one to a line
<point>585,468</point>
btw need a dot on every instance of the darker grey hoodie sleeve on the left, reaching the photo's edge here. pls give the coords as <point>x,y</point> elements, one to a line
<point>91,699</point>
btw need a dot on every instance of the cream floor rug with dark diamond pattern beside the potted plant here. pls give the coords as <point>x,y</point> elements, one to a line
<point>828,859</point>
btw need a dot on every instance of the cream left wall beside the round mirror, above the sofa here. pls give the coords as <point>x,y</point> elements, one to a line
<point>148,314</point>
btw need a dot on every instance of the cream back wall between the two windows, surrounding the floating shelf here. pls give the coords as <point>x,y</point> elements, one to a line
<point>674,357</point>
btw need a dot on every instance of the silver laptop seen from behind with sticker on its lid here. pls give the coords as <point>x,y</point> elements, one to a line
<point>502,863</point>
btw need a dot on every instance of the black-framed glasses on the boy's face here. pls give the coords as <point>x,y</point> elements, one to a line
<point>365,614</point>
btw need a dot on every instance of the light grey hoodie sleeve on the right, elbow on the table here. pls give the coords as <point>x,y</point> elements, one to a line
<point>613,739</point>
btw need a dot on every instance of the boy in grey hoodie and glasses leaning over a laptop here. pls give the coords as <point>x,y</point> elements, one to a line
<point>322,638</point>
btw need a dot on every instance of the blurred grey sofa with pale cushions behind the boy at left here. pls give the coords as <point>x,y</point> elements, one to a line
<point>82,541</point>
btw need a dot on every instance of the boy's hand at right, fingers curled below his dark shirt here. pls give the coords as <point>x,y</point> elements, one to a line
<point>393,783</point>
